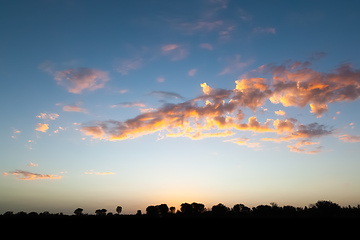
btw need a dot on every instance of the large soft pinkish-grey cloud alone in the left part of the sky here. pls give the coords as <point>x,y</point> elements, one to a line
<point>77,80</point>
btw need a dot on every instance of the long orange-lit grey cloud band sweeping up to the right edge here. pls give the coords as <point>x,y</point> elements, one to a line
<point>220,112</point>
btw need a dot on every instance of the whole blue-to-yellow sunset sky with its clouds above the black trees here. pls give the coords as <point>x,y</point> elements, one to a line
<point>138,103</point>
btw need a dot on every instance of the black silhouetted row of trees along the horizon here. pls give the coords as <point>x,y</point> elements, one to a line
<point>198,210</point>
